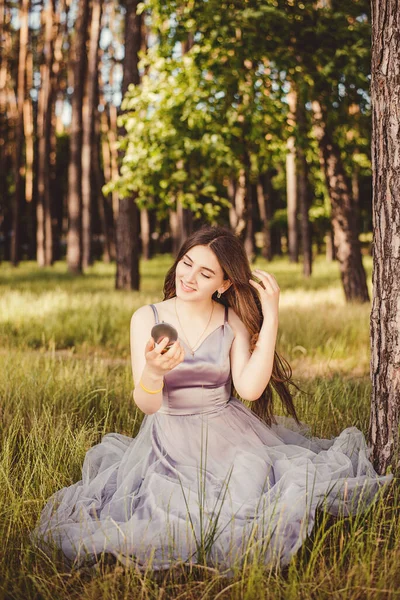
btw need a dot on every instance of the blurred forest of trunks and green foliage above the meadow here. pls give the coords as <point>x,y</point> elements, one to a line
<point>253,114</point>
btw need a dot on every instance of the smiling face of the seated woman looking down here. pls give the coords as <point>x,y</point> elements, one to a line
<point>198,274</point>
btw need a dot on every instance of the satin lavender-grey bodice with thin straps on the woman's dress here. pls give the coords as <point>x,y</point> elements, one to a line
<point>202,382</point>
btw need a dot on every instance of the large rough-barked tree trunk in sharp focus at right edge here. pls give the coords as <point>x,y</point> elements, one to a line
<point>385,314</point>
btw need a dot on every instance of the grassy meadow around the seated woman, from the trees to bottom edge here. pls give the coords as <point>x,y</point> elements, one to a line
<point>66,381</point>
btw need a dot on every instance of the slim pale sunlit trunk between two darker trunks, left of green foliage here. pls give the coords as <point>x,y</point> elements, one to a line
<point>90,111</point>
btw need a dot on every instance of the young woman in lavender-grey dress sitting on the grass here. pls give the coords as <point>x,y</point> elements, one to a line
<point>208,479</point>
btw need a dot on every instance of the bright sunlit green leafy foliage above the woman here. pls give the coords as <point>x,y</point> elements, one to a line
<point>202,117</point>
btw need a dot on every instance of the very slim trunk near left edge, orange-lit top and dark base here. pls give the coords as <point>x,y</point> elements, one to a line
<point>19,134</point>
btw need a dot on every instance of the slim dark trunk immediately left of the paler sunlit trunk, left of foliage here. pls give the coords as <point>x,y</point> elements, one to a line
<point>74,238</point>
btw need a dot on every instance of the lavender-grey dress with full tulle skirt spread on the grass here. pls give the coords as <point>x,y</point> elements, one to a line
<point>205,480</point>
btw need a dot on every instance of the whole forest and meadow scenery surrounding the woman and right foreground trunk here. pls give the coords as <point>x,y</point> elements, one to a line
<point>123,127</point>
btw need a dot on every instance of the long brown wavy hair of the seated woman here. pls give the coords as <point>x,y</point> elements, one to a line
<point>244,300</point>
